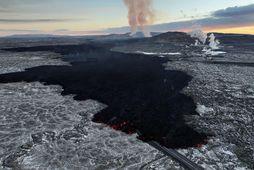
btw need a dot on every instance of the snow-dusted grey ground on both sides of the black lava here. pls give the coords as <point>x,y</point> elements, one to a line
<point>41,129</point>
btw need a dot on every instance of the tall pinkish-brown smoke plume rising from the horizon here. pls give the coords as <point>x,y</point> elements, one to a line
<point>140,15</point>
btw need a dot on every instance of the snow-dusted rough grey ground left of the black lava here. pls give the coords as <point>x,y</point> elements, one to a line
<point>41,129</point>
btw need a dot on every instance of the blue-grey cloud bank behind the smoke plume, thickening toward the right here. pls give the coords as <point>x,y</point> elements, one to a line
<point>225,18</point>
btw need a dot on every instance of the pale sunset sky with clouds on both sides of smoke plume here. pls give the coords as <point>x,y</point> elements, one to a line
<point>80,17</point>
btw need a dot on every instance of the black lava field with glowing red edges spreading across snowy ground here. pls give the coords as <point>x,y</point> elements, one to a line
<point>142,97</point>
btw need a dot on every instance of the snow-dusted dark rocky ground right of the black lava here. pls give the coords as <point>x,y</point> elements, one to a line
<point>226,111</point>
